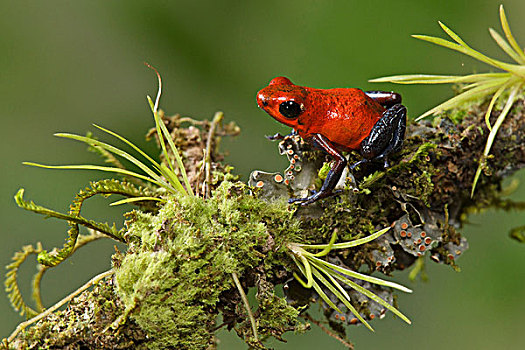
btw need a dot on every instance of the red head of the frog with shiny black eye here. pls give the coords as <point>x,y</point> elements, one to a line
<point>283,100</point>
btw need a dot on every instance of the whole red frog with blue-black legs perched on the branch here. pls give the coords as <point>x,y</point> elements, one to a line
<point>336,121</point>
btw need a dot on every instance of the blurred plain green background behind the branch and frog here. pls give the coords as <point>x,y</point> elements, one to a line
<point>65,65</point>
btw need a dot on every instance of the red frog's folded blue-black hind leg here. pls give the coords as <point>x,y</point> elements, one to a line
<point>386,136</point>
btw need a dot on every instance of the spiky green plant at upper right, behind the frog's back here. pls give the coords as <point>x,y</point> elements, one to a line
<point>506,84</point>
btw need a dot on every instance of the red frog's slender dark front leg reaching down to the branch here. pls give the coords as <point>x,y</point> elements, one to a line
<point>333,176</point>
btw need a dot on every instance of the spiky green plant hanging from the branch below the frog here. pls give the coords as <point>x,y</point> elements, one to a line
<point>330,275</point>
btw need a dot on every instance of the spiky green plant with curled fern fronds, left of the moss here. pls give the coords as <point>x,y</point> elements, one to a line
<point>155,173</point>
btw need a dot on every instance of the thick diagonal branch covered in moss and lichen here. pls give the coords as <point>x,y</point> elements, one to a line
<point>174,283</point>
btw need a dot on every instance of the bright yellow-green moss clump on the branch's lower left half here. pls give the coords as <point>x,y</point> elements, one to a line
<point>195,242</point>
